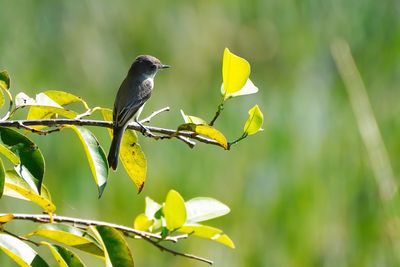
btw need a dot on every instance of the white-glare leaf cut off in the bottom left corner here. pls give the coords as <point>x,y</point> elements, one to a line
<point>20,252</point>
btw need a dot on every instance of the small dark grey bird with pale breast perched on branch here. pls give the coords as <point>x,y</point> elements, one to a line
<point>133,93</point>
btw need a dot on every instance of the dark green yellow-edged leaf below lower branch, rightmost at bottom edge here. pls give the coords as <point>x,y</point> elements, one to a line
<point>115,248</point>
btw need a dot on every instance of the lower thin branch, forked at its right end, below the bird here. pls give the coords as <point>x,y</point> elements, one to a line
<point>149,237</point>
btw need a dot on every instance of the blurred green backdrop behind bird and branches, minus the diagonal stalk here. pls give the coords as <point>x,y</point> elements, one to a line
<point>302,192</point>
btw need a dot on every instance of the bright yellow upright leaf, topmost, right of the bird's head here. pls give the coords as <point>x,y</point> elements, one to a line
<point>235,72</point>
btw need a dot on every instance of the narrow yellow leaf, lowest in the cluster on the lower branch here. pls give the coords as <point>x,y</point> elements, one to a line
<point>208,232</point>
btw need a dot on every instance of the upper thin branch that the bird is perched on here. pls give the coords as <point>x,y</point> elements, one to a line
<point>169,133</point>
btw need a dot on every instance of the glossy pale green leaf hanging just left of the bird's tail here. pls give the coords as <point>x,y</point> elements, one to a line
<point>95,155</point>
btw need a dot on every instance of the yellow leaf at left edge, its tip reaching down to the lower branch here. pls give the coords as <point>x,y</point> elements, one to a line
<point>17,187</point>
